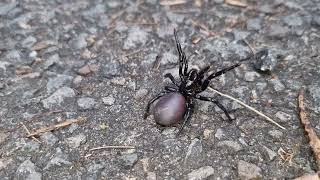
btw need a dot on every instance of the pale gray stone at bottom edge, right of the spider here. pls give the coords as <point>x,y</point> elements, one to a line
<point>248,171</point>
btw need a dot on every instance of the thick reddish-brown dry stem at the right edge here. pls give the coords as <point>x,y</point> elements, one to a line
<point>314,140</point>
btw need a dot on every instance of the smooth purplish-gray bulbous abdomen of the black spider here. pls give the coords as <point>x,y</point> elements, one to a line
<point>169,109</point>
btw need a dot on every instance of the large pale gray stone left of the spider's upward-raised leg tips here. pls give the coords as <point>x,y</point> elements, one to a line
<point>136,37</point>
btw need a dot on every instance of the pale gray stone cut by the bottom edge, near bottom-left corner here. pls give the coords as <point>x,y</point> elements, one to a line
<point>27,170</point>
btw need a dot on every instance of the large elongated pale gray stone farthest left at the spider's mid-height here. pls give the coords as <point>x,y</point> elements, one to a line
<point>58,97</point>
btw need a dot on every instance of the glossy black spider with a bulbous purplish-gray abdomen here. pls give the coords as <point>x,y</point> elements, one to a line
<point>176,103</point>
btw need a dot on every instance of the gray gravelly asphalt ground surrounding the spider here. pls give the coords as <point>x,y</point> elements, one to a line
<point>102,60</point>
